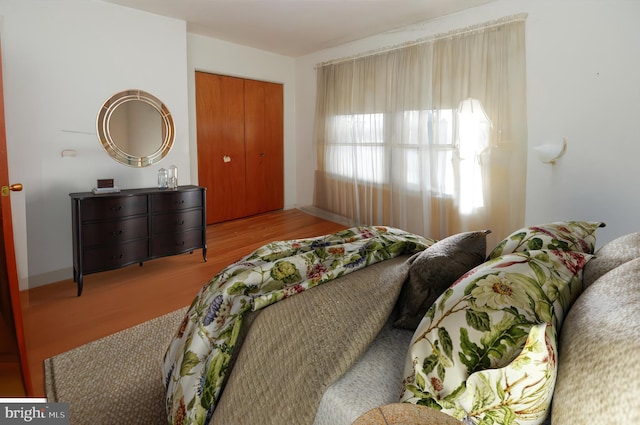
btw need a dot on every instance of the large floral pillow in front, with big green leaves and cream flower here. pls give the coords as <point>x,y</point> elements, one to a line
<point>483,320</point>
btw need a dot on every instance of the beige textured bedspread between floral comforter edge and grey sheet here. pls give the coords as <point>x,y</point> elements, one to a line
<point>293,350</point>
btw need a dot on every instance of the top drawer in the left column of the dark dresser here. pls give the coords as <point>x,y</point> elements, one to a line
<point>101,208</point>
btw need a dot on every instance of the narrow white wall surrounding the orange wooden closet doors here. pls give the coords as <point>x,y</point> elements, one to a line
<point>220,57</point>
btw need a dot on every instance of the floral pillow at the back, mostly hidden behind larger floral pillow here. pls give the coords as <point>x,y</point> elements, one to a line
<point>562,235</point>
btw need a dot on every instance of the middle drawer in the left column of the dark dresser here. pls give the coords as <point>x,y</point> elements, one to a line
<point>118,231</point>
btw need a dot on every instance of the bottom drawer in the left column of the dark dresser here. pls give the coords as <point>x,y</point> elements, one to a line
<point>106,257</point>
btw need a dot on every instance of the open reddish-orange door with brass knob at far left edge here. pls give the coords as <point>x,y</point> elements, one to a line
<point>10,289</point>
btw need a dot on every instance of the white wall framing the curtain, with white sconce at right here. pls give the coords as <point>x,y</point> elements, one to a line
<point>582,79</point>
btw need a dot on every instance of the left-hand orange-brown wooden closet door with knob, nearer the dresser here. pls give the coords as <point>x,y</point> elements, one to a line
<point>221,146</point>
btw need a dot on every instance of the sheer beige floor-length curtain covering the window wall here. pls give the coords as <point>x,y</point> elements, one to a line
<point>431,137</point>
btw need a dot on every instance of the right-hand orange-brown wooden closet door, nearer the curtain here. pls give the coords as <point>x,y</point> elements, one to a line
<point>264,140</point>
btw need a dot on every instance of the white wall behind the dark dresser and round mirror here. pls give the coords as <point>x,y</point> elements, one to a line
<point>61,61</point>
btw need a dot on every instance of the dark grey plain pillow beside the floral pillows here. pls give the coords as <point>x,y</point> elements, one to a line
<point>434,270</point>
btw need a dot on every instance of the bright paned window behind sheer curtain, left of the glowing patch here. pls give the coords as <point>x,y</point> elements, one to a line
<point>424,138</point>
